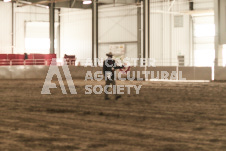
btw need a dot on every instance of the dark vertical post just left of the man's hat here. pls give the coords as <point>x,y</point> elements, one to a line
<point>94,31</point>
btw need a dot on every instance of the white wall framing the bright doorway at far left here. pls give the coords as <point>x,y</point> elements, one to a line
<point>21,16</point>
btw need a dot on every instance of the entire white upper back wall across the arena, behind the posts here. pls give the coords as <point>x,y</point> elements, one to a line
<point>117,25</point>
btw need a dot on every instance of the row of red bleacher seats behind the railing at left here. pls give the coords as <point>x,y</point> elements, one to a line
<point>33,59</point>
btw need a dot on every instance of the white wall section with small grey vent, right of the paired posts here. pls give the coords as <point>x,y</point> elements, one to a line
<point>167,41</point>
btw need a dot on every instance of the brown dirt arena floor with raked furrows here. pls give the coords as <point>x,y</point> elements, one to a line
<point>165,116</point>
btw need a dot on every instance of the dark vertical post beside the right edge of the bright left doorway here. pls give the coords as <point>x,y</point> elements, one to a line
<point>51,26</point>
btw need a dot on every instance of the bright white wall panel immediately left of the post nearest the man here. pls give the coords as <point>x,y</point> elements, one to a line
<point>76,33</point>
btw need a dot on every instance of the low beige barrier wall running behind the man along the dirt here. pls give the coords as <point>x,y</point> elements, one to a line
<point>79,72</point>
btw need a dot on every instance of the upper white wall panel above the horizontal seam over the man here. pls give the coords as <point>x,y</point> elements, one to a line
<point>118,24</point>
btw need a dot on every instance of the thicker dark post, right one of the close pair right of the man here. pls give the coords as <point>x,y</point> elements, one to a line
<point>146,29</point>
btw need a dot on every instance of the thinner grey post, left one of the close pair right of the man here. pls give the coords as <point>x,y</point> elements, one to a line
<point>139,33</point>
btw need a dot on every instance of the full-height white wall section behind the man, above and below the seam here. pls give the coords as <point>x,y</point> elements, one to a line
<point>118,25</point>
